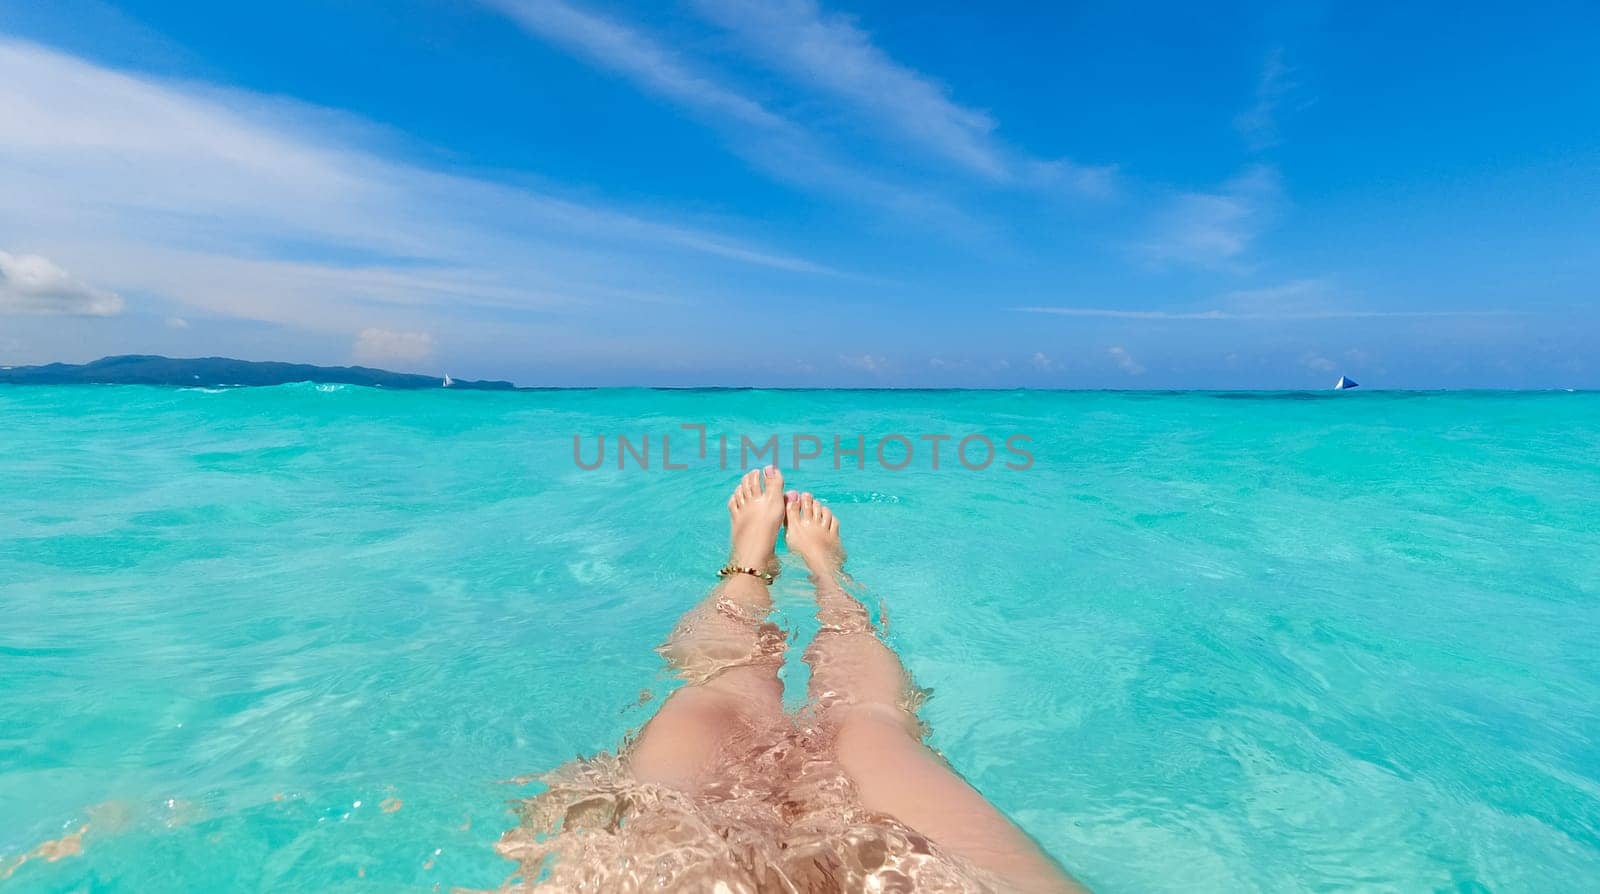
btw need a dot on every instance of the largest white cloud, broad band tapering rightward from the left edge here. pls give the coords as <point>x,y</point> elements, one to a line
<point>190,193</point>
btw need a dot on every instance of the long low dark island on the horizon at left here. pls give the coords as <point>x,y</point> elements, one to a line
<point>223,372</point>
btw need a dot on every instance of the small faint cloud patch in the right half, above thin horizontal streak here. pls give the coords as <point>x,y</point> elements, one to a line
<point>1214,229</point>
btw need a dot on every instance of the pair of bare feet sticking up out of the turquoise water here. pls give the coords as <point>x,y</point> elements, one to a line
<point>761,511</point>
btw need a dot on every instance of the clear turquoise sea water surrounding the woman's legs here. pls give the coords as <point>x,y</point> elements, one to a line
<point>1207,644</point>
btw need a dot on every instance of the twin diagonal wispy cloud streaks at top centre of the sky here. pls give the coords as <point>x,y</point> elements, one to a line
<point>839,62</point>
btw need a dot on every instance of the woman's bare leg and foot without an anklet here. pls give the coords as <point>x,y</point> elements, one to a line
<point>862,692</point>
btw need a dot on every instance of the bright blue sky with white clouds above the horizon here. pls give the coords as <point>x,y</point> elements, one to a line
<point>799,194</point>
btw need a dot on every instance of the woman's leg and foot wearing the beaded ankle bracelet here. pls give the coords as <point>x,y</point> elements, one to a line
<point>729,653</point>
